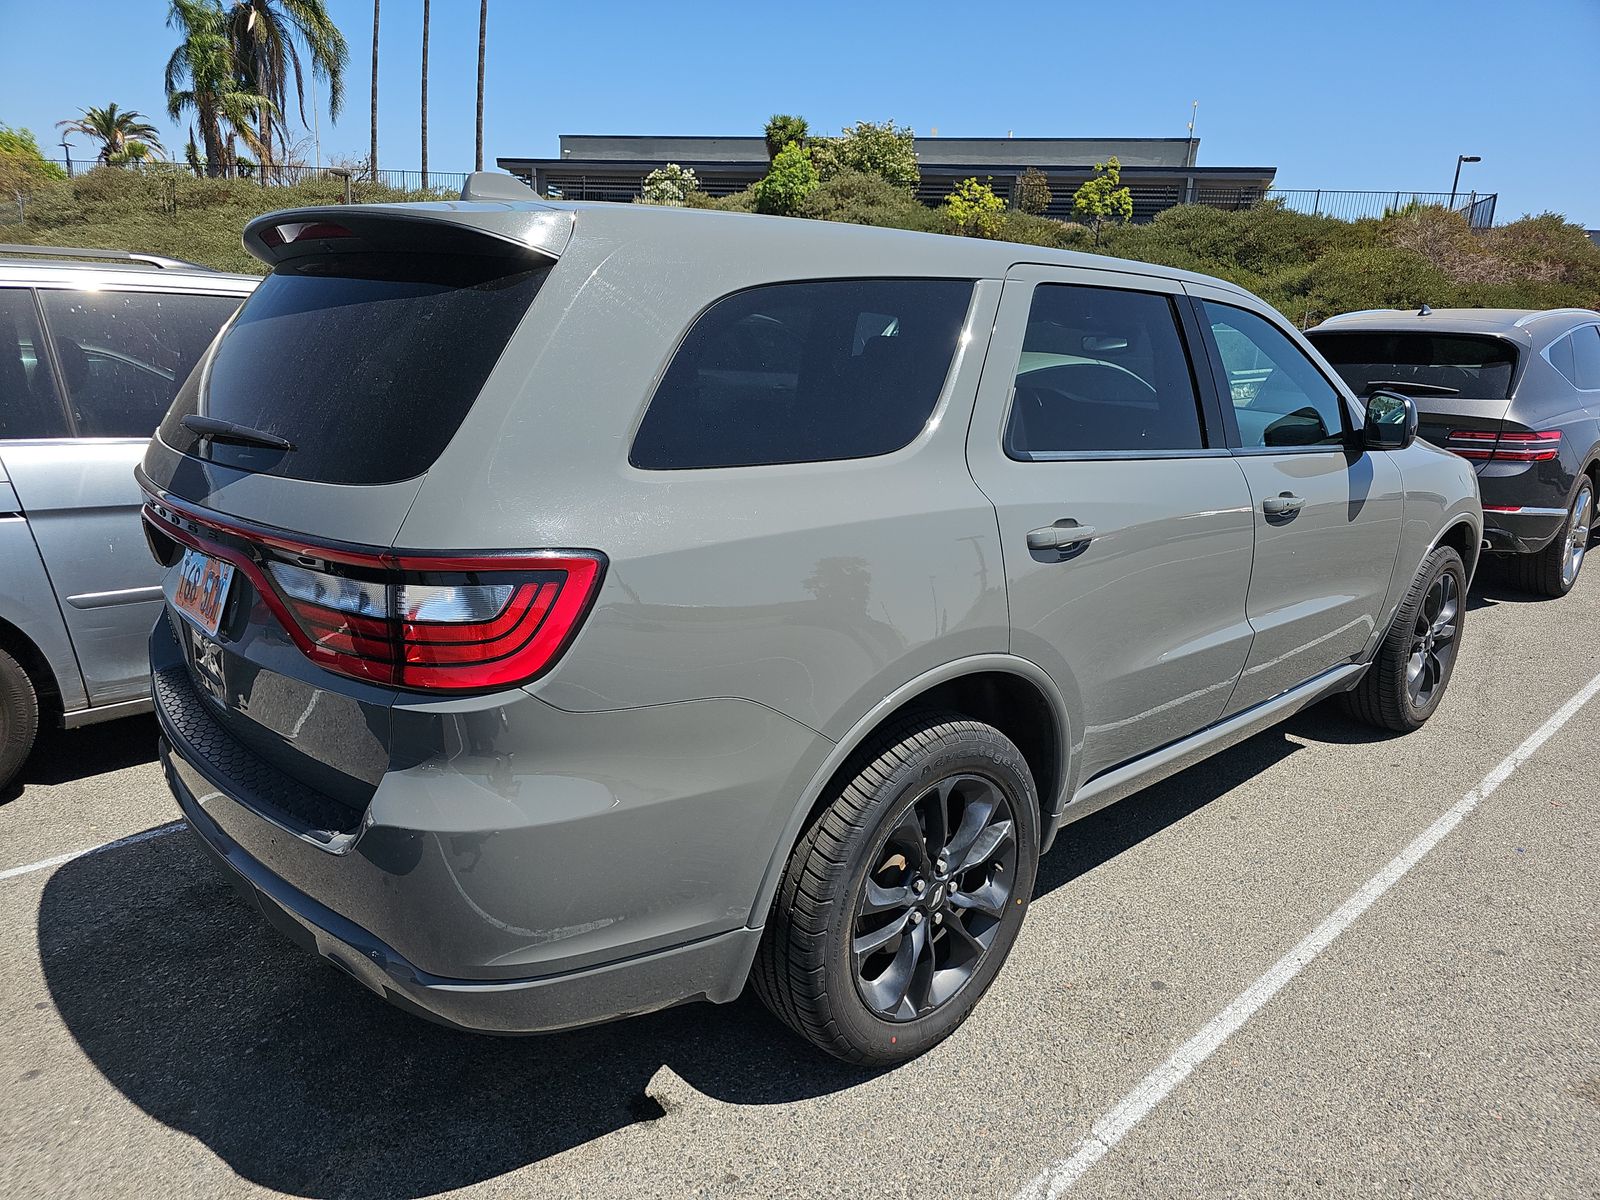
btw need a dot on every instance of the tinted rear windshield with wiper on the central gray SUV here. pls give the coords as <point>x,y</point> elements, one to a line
<point>367,364</point>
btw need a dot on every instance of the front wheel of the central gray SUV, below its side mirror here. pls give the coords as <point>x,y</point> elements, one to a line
<point>1390,695</point>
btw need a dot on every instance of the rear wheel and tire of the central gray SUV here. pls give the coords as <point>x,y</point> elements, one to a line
<point>836,950</point>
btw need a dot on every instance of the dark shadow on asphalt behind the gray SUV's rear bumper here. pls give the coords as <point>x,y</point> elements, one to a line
<point>306,1084</point>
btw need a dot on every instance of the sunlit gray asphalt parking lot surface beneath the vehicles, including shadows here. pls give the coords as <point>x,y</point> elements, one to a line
<point>161,1041</point>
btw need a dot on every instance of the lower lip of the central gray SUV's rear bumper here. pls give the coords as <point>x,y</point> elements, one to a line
<point>706,970</point>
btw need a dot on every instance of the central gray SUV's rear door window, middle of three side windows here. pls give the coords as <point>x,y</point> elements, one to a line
<point>1102,370</point>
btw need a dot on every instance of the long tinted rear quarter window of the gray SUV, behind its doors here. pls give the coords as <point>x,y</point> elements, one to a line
<point>806,374</point>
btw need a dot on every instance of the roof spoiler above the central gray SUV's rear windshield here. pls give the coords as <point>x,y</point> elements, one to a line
<point>527,231</point>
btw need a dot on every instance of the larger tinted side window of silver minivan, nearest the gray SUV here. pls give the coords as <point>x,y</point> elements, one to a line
<point>124,354</point>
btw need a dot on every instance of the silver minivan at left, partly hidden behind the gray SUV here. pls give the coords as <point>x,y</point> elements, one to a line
<point>92,353</point>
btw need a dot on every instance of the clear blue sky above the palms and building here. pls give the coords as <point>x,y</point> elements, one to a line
<point>1335,95</point>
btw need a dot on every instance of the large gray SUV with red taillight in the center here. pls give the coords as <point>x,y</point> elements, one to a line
<point>574,610</point>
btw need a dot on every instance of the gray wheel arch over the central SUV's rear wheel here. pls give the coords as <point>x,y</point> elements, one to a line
<point>1012,694</point>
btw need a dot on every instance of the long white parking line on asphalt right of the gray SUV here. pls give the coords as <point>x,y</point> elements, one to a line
<point>1156,1087</point>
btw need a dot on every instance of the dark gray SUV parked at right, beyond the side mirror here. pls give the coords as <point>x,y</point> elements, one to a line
<point>1514,393</point>
